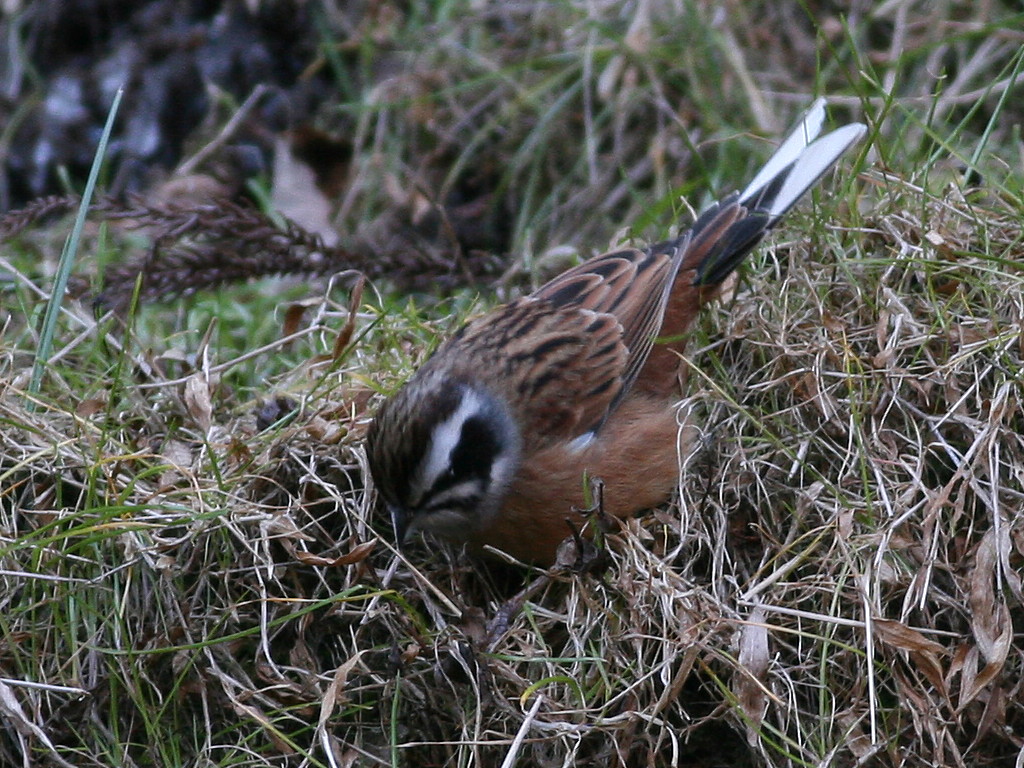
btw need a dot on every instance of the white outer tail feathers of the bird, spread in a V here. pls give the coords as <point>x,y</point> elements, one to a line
<point>803,158</point>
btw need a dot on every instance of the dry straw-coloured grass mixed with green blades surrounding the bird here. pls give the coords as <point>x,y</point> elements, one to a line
<point>193,577</point>
